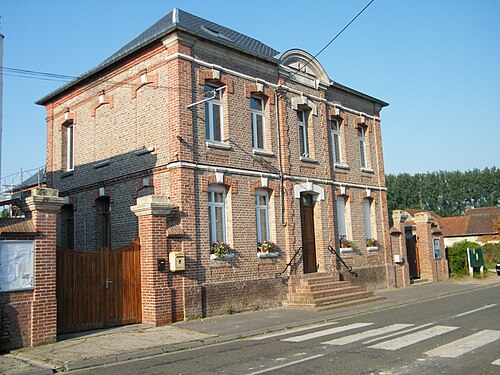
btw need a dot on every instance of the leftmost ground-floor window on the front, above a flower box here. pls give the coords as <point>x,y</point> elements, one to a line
<point>217,213</point>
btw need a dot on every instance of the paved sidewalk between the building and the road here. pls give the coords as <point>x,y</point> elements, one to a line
<point>87,349</point>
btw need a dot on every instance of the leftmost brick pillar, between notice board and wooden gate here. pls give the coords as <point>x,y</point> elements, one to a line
<point>44,204</point>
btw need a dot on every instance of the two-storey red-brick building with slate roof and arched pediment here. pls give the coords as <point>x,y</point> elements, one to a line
<point>194,133</point>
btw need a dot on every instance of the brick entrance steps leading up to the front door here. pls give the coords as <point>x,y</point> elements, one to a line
<point>322,291</point>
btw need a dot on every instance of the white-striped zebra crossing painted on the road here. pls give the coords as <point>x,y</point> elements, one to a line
<point>390,337</point>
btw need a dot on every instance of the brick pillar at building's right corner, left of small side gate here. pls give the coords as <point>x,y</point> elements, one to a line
<point>398,247</point>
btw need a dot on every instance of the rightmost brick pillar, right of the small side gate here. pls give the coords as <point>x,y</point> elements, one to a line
<point>428,266</point>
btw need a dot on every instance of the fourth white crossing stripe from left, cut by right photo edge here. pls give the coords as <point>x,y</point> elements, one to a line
<point>459,347</point>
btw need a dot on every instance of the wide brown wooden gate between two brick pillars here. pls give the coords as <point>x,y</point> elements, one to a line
<point>98,289</point>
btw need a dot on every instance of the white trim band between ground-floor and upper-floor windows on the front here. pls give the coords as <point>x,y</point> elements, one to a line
<point>243,172</point>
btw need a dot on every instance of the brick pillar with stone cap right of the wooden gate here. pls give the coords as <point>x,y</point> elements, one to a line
<point>155,291</point>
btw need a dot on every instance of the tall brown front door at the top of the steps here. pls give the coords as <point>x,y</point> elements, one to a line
<point>307,220</point>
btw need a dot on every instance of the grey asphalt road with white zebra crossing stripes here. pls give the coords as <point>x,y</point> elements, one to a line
<point>456,334</point>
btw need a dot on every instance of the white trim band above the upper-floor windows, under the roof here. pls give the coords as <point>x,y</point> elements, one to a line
<point>177,55</point>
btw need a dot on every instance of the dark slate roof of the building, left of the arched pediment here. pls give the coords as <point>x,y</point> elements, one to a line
<point>179,19</point>
